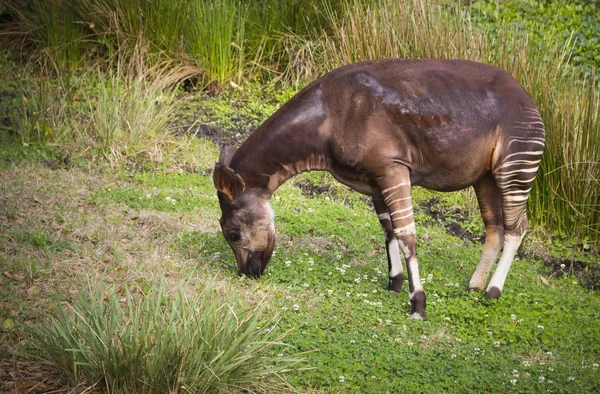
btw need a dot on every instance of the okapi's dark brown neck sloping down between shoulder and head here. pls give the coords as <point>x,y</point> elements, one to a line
<point>291,141</point>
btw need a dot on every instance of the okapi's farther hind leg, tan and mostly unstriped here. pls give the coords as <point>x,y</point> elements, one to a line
<point>490,205</point>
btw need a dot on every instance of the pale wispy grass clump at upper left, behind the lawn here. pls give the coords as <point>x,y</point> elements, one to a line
<point>125,113</point>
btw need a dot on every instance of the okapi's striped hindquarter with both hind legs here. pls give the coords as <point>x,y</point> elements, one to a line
<point>503,197</point>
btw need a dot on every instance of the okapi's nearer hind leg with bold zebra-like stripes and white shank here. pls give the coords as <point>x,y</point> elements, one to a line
<point>514,174</point>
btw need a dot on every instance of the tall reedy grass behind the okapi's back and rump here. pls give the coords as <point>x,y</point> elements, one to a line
<point>566,195</point>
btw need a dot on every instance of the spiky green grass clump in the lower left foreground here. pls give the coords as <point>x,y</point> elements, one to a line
<point>165,341</point>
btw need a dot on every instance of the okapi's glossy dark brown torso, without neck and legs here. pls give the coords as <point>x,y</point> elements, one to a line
<point>441,118</point>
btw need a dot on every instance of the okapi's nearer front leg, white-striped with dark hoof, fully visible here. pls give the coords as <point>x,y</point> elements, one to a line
<point>396,193</point>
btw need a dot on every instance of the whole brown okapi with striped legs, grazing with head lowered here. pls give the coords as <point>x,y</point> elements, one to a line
<point>381,127</point>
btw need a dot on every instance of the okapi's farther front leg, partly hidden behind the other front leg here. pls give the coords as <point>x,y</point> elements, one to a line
<point>396,274</point>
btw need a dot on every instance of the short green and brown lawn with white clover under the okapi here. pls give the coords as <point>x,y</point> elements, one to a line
<point>67,225</point>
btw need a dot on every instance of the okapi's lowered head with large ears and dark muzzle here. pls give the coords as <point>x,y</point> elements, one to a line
<point>247,218</point>
